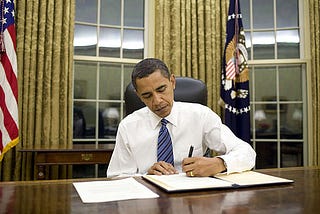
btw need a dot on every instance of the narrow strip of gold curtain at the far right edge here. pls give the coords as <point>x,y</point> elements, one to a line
<point>314,11</point>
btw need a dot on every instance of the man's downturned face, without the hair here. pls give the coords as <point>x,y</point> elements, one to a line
<point>156,92</point>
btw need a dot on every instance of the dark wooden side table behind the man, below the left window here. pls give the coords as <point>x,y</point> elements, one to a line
<point>79,154</point>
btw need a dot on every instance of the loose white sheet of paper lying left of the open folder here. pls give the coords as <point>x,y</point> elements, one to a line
<point>112,190</point>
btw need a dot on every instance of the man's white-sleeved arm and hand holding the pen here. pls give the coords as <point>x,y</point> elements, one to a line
<point>236,155</point>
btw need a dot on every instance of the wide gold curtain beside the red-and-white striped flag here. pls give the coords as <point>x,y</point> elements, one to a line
<point>45,56</point>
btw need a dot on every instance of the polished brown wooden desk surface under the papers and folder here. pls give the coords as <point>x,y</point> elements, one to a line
<point>303,196</point>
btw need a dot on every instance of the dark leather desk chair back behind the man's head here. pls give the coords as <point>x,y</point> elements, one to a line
<point>187,90</point>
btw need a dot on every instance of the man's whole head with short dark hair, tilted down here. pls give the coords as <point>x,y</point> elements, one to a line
<point>154,85</point>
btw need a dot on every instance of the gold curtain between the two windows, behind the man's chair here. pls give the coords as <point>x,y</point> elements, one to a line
<point>190,37</point>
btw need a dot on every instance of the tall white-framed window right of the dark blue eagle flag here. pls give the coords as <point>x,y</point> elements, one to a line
<point>278,68</point>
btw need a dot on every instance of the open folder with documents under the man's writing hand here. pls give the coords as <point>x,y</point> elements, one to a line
<point>181,182</point>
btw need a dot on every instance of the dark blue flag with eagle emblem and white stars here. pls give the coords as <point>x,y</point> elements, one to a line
<point>234,90</point>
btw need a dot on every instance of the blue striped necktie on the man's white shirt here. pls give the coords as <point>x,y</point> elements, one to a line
<point>164,151</point>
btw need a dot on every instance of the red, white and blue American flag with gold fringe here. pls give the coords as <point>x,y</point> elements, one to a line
<point>9,130</point>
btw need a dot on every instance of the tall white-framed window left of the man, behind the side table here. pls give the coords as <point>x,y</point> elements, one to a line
<point>109,38</point>
